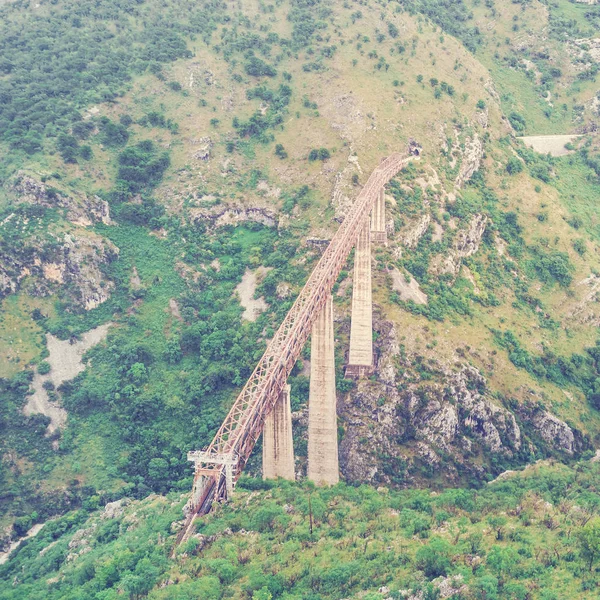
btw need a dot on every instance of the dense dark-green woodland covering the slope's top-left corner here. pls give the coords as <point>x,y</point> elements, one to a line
<point>67,57</point>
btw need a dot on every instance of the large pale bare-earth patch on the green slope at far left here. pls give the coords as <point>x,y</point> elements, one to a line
<point>65,361</point>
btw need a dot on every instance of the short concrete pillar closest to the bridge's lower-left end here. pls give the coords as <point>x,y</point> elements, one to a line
<point>278,446</point>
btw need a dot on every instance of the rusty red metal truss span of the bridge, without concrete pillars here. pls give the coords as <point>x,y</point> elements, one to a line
<point>218,467</point>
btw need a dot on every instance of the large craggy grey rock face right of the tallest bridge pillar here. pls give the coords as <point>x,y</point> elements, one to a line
<point>408,423</point>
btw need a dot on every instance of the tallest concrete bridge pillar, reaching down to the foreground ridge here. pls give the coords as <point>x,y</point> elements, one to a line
<point>323,466</point>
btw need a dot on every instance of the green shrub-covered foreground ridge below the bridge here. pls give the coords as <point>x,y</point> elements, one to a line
<point>532,535</point>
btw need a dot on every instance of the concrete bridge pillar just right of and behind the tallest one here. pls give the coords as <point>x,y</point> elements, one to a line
<point>360,359</point>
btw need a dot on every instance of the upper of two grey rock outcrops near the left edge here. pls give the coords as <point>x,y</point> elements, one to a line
<point>81,210</point>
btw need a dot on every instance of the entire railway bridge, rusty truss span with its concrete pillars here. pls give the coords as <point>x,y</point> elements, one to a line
<point>263,405</point>
